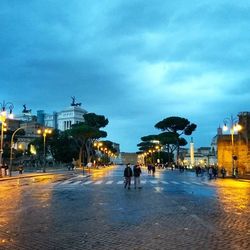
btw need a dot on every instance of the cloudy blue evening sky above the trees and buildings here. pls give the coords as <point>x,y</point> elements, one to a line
<point>136,62</point>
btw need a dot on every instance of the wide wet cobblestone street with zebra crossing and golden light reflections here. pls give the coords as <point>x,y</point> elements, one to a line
<point>173,210</point>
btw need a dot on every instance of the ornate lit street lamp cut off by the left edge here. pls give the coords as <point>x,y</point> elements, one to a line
<point>4,115</point>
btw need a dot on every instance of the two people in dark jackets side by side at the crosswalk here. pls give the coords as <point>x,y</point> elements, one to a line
<point>129,173</point>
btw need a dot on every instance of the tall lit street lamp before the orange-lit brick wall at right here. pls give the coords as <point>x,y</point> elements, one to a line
<point>233,127</point>
